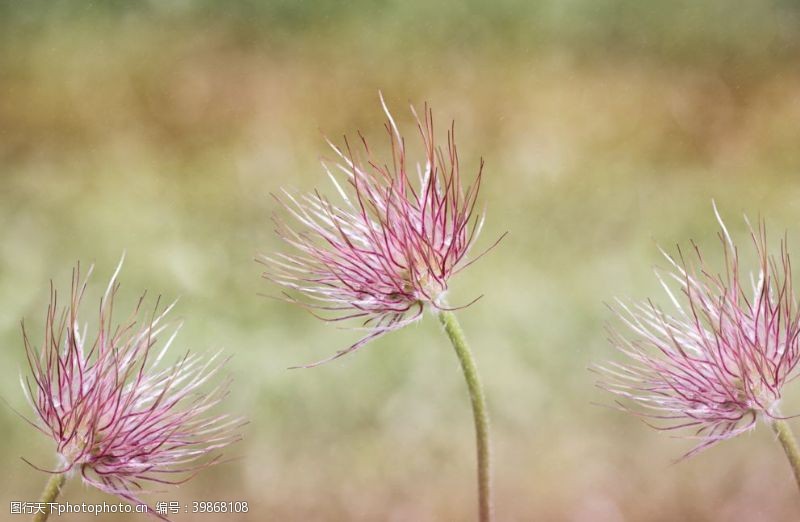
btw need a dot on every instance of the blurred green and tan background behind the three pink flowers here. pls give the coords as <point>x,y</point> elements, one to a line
<point>161,128</point>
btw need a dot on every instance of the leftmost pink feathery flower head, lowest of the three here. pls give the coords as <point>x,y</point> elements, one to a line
<point>118,416</point>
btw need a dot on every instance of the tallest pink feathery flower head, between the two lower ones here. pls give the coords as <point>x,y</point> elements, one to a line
<point>388,247</point>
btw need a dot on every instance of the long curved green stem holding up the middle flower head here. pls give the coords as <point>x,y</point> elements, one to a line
<point>479,411</point>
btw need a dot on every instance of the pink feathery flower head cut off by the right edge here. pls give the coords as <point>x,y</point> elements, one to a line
<point>718,362</point>
